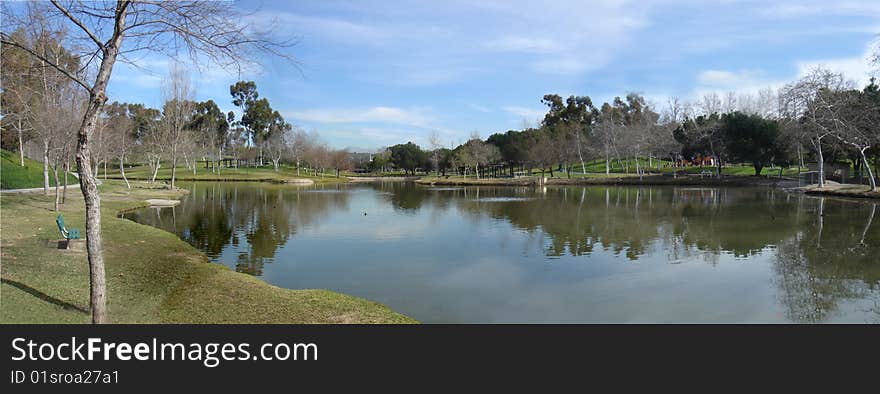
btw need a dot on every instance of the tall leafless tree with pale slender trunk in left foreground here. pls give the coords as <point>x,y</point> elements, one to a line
<point>210,28</point>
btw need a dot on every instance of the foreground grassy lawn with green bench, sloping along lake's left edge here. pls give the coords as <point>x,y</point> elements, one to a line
<point>152,276</point>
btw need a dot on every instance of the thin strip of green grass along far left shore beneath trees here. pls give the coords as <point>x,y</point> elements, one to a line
<point>265,174</point>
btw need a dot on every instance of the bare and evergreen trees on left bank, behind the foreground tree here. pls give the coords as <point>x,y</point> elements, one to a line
<point>41,108</point>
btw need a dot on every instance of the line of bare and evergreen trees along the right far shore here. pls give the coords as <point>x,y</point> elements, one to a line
<point>821,118</point>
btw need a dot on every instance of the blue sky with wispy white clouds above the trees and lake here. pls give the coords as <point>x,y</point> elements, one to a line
<point>376,73</point>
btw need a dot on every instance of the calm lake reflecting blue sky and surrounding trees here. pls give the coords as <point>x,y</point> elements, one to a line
<point>592,254</point>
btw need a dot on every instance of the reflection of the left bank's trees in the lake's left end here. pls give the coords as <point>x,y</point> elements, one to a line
<point>264,217</point>
